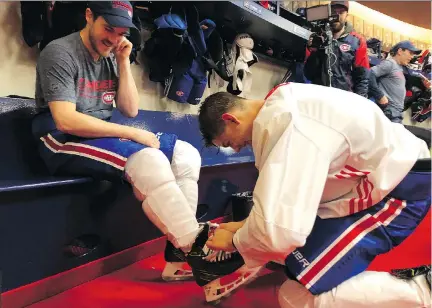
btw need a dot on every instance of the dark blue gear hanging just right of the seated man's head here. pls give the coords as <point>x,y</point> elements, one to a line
<point>176,54</point>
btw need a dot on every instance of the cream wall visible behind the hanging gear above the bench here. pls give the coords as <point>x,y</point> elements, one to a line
<point>17,70</point>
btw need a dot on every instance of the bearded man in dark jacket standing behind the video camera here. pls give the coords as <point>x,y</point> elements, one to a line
<point>349,59</point>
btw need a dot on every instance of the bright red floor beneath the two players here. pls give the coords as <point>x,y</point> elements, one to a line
<point>140,285</point>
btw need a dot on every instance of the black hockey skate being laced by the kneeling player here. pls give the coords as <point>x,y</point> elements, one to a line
<point>218,272</point>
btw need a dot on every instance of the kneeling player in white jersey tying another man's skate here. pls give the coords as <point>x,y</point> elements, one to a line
<point>337,186</point>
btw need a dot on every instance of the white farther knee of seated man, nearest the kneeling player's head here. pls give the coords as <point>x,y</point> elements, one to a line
<point>186,161</point>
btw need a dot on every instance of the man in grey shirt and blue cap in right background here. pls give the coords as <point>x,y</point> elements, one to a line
<point>387,80</point>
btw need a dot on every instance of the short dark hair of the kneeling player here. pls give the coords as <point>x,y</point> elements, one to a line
<point>210,114</point>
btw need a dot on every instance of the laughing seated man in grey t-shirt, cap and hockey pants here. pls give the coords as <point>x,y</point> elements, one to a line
<point>79,77</point>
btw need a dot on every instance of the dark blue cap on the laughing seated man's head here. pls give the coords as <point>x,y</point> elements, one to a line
<point>116,13</point>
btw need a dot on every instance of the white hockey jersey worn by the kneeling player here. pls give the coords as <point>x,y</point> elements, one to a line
<point>319,151</point>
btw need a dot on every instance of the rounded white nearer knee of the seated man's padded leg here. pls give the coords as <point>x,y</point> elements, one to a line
<point>148,169</point>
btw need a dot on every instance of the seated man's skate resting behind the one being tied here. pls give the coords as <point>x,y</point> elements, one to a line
<point>176,268</point>
